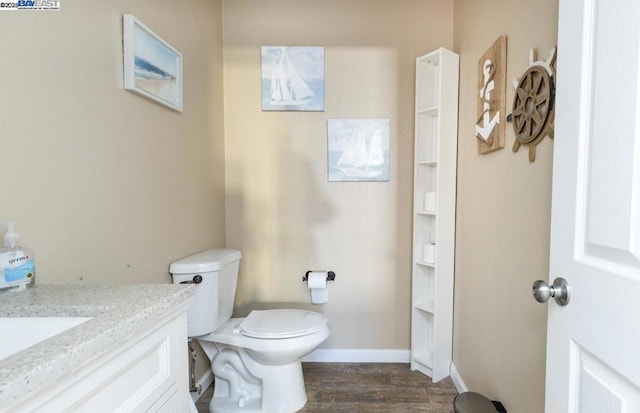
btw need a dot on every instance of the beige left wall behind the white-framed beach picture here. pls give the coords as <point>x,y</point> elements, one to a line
<point>107,186</point>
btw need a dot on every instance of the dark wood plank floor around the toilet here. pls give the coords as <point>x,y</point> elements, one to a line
<point>368,388</point>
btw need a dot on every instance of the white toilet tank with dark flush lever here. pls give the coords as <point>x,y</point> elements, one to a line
<point>215,295</point>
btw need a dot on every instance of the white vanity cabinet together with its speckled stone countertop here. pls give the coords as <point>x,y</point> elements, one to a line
<point>129,357</point>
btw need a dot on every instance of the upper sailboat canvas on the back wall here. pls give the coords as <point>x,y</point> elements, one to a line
<point>292,78</point>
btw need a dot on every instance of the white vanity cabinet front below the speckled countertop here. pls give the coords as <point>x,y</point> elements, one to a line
<point>145,373</point>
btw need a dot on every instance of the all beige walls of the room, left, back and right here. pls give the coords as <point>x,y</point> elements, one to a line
<point>109,187</point>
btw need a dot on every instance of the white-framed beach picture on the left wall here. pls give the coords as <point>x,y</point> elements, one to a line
<point>152,68</point>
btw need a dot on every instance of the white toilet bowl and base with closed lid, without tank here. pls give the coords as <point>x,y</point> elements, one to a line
<point>272,360</point>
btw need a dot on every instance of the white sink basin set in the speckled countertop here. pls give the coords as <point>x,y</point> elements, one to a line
<point>24,332</point>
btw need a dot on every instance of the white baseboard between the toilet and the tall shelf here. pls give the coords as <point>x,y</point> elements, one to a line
<point>358,356</point>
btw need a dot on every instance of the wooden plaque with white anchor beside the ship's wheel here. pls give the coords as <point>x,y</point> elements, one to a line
<point>492,74</point>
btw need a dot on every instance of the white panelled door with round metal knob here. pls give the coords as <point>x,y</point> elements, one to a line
<point>593,344</point>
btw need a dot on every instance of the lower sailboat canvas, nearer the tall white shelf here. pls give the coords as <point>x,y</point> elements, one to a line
<point>358,150</point>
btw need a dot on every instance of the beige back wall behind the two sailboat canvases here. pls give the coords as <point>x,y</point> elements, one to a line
<point>281,211</point>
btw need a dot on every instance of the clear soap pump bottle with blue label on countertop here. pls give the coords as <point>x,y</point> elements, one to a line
<point>17,264</point>
